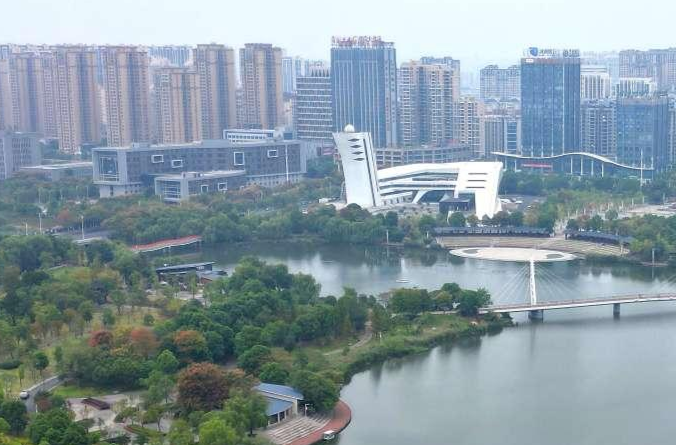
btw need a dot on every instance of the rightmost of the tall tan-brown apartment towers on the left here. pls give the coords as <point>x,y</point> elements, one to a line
<point>260,67</point>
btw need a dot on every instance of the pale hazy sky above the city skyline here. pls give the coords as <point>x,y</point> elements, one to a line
<point>475,31</point>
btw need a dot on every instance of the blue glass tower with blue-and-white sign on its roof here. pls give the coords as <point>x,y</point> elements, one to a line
<point>550,102</point>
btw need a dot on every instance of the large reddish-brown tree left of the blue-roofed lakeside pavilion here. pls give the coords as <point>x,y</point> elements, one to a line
<point>202,387</point>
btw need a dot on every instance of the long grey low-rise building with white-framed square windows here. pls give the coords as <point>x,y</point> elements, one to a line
<point>120,171</point>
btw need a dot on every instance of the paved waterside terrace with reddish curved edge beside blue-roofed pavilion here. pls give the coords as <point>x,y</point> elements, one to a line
<point>308,430</point>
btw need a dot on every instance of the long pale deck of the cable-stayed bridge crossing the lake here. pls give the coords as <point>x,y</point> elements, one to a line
<point>547,305</point>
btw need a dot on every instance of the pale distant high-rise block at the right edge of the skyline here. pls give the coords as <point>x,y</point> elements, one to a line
<point>656,64</point>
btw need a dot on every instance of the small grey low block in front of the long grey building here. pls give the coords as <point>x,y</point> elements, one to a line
<point>176,188</point>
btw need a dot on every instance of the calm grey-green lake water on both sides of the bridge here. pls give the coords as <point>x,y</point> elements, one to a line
<point>581,377</point>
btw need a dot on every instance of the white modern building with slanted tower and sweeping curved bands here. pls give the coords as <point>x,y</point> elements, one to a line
<point>369,187</point>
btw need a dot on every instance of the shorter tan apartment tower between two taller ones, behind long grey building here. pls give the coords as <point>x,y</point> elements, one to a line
<point>177,105</point>
